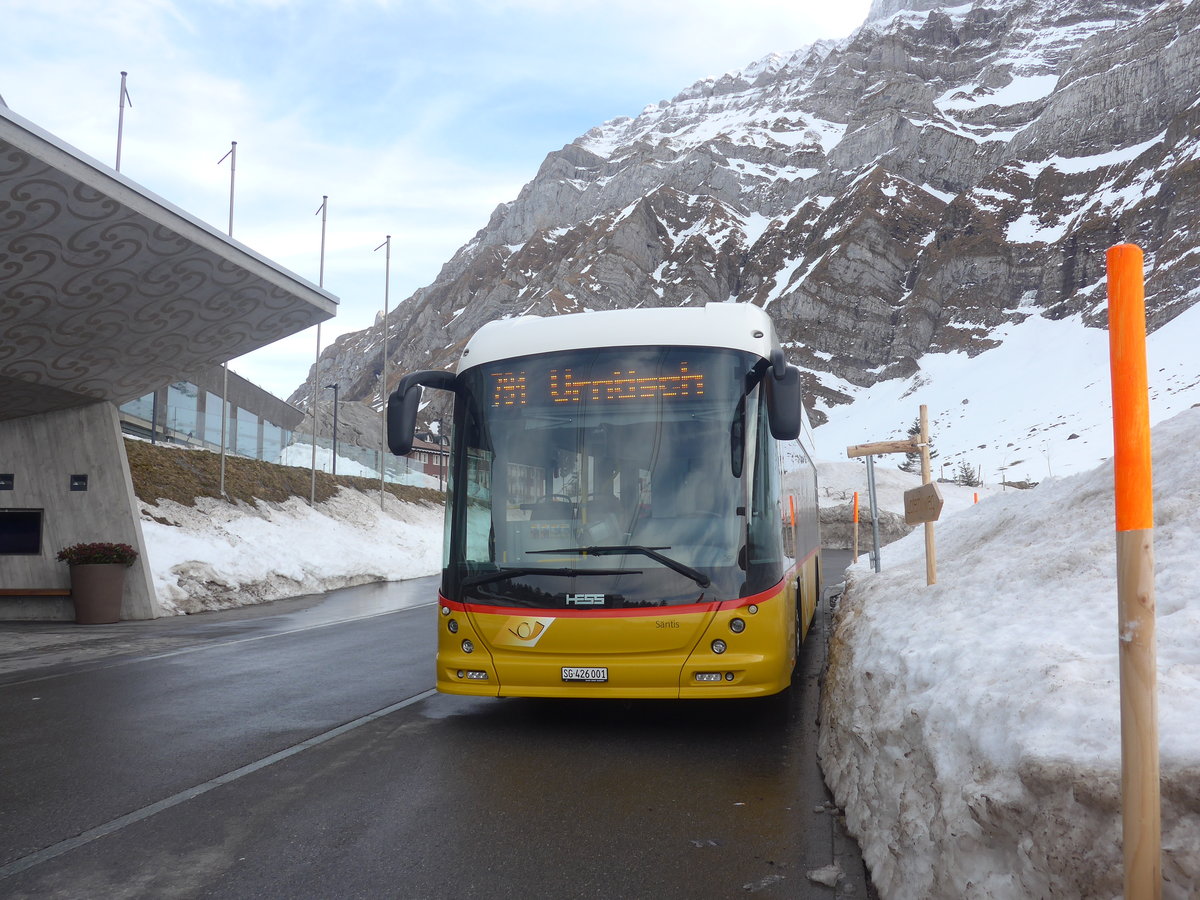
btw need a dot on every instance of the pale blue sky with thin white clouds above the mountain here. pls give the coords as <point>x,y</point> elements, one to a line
<point>417,118</point>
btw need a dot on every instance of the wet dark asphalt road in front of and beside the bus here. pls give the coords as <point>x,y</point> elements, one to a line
<point>299,755</point>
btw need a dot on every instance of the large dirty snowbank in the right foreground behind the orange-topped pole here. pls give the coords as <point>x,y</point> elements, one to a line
<point>971,730</point>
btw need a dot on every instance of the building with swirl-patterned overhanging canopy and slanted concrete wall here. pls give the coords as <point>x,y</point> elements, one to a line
<point>107,293</point>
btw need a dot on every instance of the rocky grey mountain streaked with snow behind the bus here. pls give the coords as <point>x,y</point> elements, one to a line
<point>922,207</point>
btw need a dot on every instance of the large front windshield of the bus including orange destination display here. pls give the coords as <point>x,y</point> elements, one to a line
<point>609,478</point>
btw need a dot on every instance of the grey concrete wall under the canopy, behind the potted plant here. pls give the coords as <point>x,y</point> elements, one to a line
<point>43,453</point>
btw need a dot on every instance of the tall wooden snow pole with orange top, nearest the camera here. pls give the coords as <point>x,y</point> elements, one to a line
<point>1141,797</point>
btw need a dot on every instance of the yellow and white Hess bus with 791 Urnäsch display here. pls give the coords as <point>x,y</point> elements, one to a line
<point>617,523</point>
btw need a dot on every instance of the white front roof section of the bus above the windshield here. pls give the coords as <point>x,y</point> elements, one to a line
<point>740,327</point>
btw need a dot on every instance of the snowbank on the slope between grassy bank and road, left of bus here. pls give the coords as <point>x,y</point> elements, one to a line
<point>220,555</point>
